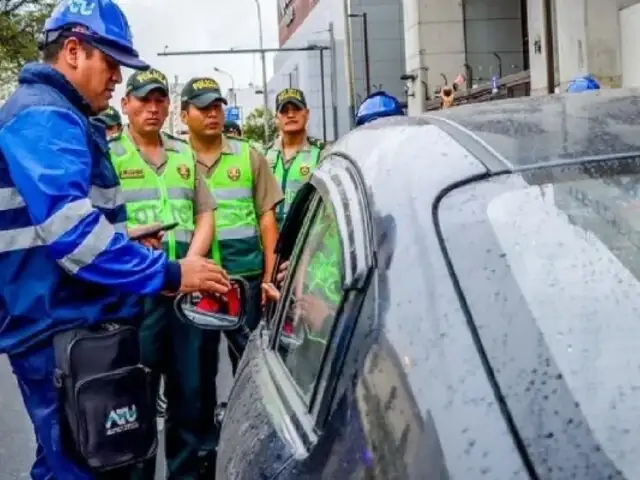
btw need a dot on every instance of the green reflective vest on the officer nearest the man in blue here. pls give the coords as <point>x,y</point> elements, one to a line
<point>165,198</point>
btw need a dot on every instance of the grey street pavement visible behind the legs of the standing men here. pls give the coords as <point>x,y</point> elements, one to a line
<point>17,444</point>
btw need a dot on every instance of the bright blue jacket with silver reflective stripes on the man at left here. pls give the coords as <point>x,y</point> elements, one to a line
<point>65,261</point>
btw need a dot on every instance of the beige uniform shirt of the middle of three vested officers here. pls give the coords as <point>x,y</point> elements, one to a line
<point>266,189</point>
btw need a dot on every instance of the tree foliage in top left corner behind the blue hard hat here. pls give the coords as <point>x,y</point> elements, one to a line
<point>20,25</point>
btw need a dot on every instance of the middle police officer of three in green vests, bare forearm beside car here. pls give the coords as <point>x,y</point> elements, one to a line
<point>245,189</point>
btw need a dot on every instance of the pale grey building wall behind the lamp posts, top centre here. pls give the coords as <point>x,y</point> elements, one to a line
<point>386,54</point>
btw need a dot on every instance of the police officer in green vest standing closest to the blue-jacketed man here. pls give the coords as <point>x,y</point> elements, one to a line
<point>161,185</point>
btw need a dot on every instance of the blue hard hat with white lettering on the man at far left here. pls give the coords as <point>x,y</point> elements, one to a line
<point>100,23</point>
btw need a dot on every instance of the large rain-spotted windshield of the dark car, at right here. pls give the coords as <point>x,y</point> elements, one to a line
<point>549,268</point>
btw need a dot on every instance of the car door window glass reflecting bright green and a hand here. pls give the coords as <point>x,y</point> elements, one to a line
<point>314,296</point>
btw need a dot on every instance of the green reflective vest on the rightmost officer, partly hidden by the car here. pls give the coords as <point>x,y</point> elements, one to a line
<point>291,178</point>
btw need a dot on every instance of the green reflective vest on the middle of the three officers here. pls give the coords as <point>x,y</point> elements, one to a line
<point>237,244</point>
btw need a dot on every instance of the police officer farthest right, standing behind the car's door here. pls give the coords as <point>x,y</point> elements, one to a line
<point>294,155</point>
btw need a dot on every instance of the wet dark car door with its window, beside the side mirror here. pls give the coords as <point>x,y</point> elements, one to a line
<point>285,379</point>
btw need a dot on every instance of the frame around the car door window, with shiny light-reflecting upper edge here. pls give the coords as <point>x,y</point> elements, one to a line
<point>338,182</point>
